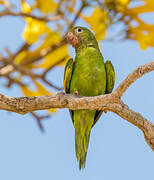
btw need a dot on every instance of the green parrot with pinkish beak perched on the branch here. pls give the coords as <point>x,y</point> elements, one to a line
<point>86,75</point>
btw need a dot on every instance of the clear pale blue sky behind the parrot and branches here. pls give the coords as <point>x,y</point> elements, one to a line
<point>117,149</point>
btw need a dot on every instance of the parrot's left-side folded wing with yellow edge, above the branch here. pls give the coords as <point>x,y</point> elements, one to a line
<point>68,75</point>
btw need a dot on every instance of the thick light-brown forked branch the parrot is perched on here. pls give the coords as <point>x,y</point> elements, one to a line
<point>109,102</point>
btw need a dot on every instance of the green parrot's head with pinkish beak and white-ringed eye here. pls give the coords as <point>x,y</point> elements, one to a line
<point>80,36</point>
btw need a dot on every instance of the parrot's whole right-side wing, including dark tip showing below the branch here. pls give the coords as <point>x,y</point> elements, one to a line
<point>110,80</point>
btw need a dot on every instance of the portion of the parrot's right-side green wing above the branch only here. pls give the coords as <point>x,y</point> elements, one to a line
<point>110,77</point>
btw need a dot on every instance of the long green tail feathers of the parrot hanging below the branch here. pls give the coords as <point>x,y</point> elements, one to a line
<point>83,121</point>
